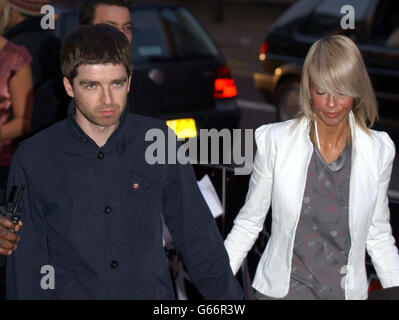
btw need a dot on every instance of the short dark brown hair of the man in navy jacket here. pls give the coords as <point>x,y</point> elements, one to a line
<point>95,44</point>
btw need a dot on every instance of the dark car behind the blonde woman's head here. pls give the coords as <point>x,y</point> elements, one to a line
<point>376,32</point>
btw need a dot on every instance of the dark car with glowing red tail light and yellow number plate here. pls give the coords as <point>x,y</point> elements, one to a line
<point>170,46</point>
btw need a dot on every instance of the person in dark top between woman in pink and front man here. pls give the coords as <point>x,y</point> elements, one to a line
<point>24,28</point>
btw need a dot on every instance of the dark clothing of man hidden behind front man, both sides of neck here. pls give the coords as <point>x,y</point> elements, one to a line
<point>51,100</point>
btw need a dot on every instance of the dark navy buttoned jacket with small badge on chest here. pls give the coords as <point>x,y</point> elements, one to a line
<point>95,215</point>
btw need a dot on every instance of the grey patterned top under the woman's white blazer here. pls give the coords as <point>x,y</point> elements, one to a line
<point>322,239</point>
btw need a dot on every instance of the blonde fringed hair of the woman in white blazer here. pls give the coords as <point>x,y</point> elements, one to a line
<point>336,66</point>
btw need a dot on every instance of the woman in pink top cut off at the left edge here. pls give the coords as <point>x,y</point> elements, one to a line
<point>16,95</point>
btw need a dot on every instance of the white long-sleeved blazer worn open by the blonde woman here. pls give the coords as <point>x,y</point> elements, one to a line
<point>279,176</point>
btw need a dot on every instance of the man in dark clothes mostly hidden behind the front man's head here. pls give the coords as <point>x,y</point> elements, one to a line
<point>51,100</point>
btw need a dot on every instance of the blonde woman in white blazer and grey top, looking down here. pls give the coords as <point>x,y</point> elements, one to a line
<point>326,176</point>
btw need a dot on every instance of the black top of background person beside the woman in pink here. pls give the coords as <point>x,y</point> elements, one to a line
<point>43,46</point>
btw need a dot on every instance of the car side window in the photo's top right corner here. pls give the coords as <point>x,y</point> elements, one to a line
<point>385,28</point>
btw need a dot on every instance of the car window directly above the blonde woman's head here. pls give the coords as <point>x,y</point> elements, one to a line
<point>326,17</point>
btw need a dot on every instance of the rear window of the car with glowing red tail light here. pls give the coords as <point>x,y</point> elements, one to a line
<point>168,33</point>
